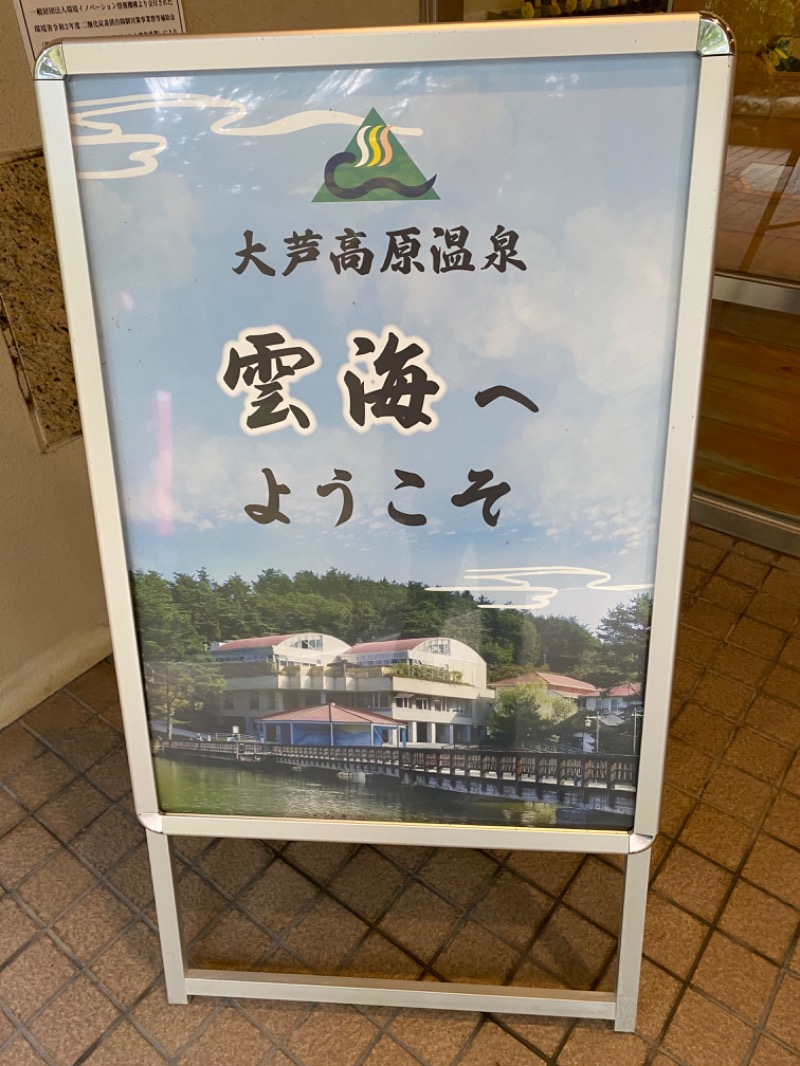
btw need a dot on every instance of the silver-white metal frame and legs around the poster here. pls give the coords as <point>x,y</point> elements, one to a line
<point>703,36</point>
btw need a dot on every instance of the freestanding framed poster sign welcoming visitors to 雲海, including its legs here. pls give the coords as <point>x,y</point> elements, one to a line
<point>389,350</point>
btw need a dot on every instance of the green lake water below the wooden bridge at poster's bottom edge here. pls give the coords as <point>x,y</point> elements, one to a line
<point>195,789</point>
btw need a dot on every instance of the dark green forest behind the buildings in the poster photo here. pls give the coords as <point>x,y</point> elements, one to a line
<point>179,620</point>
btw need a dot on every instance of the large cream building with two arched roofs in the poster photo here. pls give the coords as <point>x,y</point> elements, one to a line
<point>436,687</point>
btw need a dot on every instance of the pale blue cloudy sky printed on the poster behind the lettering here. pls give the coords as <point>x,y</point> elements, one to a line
<point>586,160</point>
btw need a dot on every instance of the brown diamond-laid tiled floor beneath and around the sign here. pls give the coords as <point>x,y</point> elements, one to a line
<point>79,959</point>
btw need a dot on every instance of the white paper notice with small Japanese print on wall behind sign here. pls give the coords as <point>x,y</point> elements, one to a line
<point>44,22</point>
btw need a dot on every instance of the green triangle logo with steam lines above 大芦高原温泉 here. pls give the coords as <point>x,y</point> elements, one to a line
<point>374,167</point>
